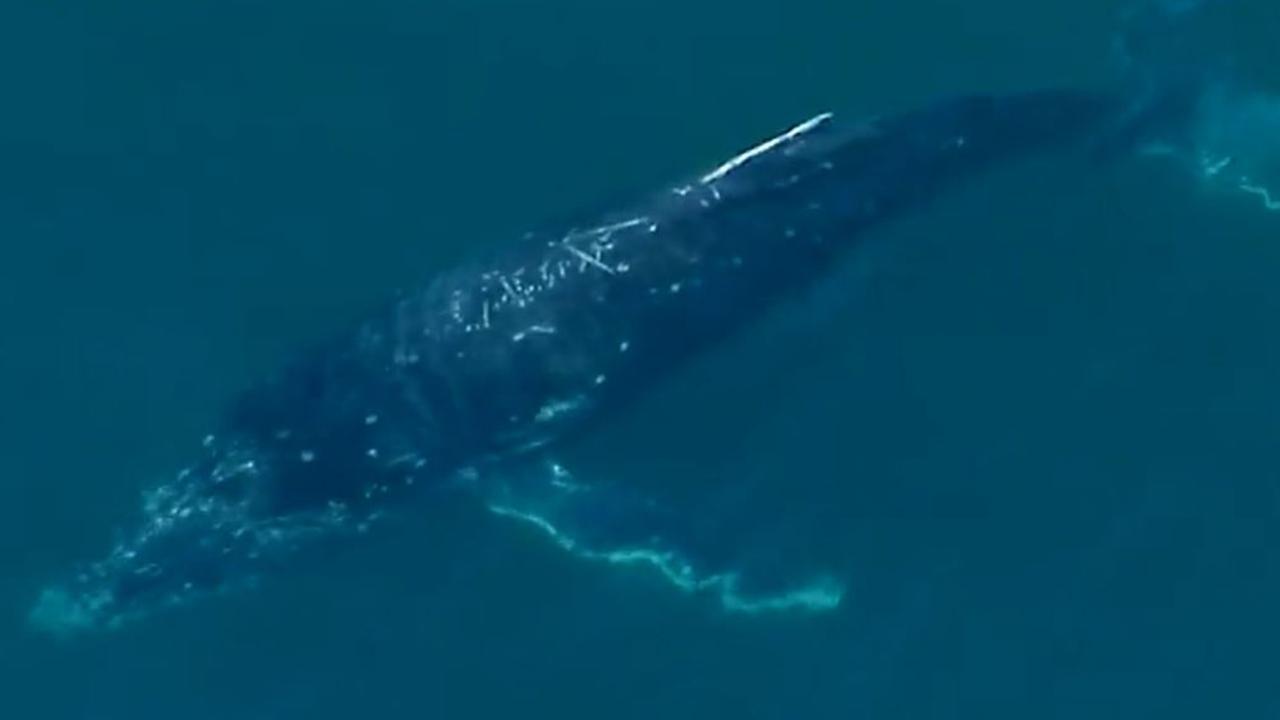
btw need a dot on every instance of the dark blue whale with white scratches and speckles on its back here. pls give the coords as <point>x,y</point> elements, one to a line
<point>504,361</point>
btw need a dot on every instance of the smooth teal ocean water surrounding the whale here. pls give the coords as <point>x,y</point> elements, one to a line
<point>1036,427</point>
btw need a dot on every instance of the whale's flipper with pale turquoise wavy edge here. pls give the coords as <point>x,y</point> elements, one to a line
<point>619,526</point>
